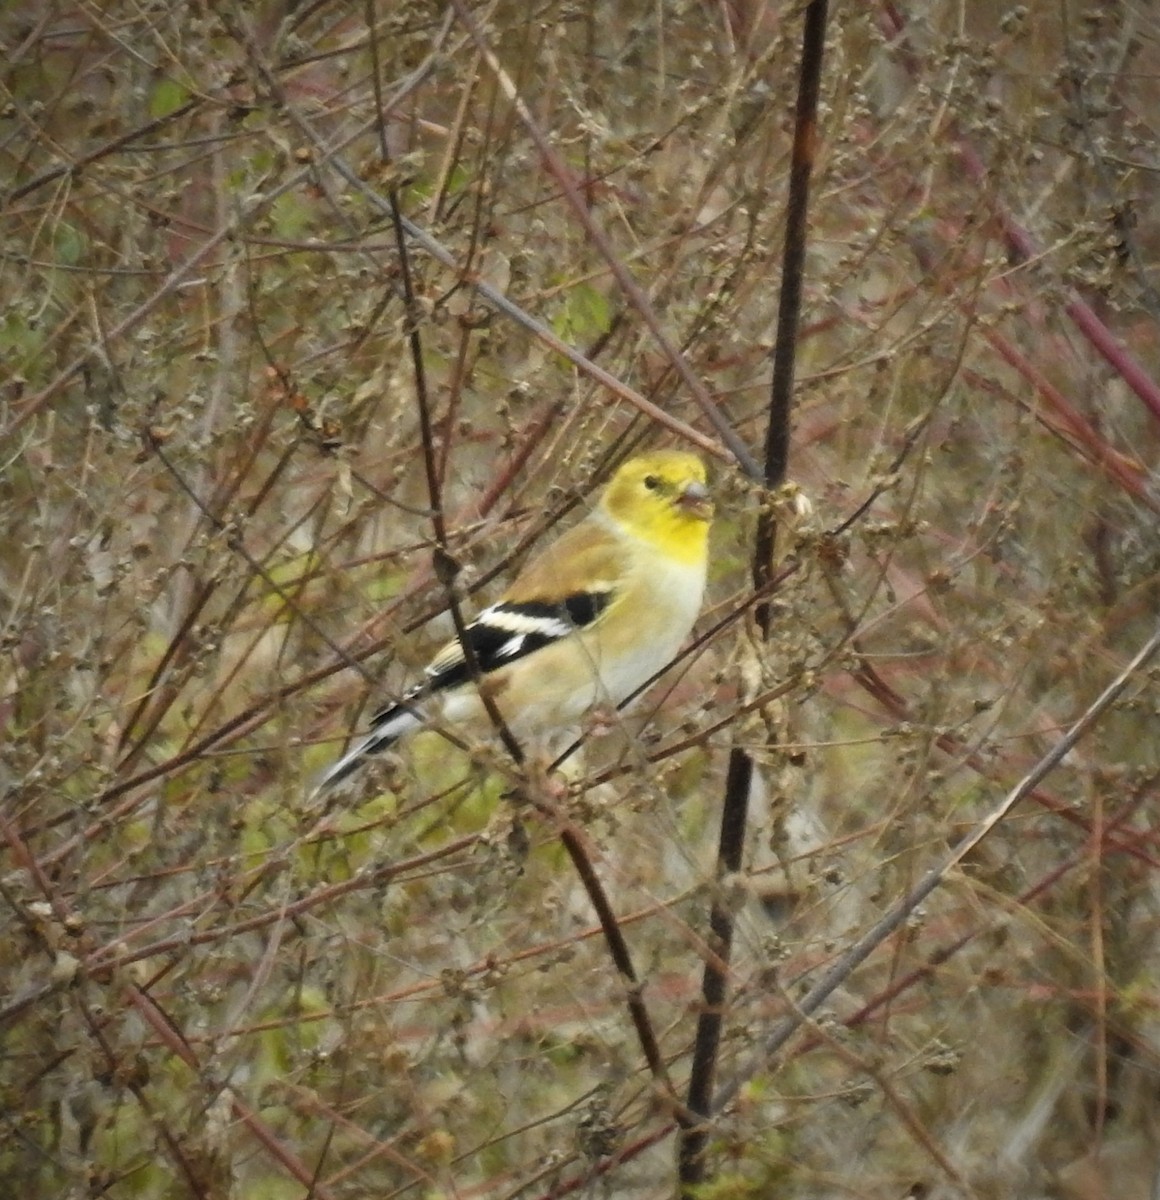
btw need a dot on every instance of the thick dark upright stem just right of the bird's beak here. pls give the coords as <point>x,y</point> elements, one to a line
<point>735,815</point>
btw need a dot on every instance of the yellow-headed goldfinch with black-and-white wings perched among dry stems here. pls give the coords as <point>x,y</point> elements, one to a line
<point>585,625</point>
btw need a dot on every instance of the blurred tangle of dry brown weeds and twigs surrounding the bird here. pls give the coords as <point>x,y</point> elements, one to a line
<point>217,554</point>
